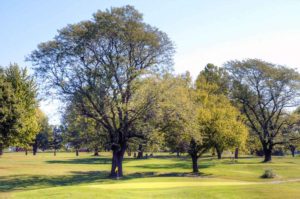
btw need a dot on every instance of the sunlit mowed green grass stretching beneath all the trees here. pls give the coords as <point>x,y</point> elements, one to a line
<point>165,176</point>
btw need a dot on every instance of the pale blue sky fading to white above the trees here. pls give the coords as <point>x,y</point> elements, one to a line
<point>204,31</point>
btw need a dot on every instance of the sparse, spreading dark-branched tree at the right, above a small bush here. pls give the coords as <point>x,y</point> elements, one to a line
<point>264,91</point>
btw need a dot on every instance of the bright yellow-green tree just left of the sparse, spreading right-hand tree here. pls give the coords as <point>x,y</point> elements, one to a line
<point>221,124</point>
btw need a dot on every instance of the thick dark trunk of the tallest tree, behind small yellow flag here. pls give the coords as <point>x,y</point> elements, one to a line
<point>117,161</point>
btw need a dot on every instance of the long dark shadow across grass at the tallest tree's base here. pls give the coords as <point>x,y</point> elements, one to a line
<point>25,182</point>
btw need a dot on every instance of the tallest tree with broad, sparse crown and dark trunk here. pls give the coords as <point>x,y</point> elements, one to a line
<point>97,62</point>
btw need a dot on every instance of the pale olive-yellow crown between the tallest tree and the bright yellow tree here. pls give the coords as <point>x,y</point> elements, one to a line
<point>170,117</point>
